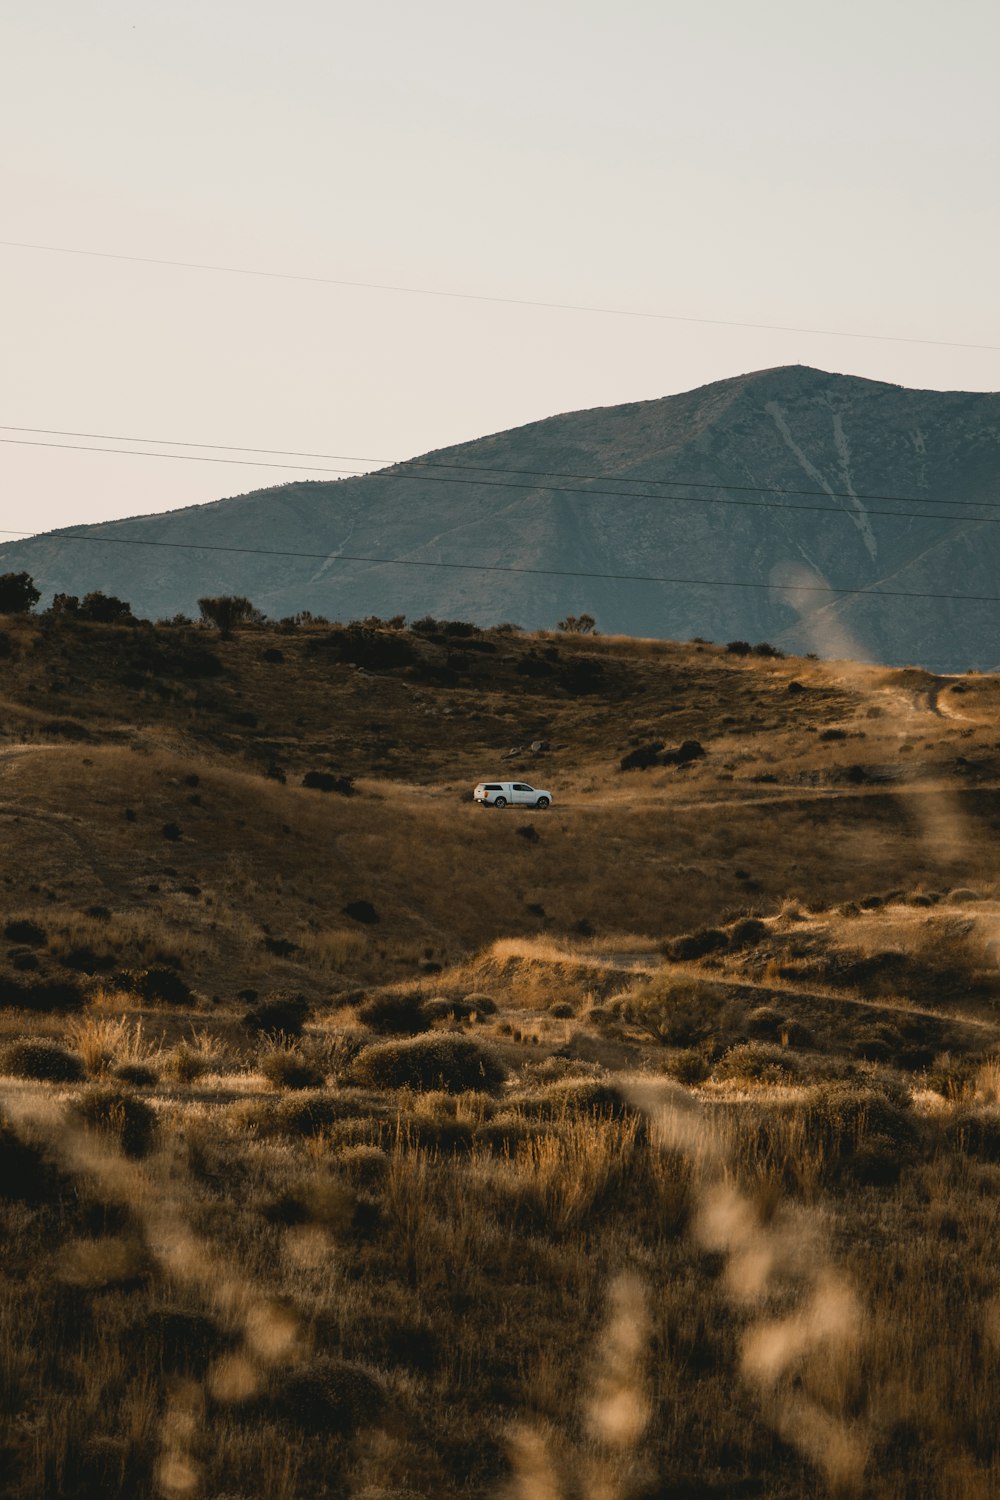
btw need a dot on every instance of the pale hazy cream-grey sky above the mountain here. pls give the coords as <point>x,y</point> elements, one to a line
<point>785,163</point>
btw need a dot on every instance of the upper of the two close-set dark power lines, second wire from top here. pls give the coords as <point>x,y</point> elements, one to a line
<point>473,469</point>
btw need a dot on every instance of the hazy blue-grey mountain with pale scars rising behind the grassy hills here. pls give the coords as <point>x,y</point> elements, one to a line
<point>881,493</point>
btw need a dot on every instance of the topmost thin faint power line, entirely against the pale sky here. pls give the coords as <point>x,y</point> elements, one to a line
<point>507,302</point>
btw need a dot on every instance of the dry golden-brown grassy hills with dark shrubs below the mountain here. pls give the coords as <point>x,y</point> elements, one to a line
<point>358,1142</point>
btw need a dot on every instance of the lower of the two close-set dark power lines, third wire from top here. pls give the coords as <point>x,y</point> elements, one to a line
<point>551,490</point>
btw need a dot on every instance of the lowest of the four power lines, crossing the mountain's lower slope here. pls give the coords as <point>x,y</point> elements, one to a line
<point>497,568</point>
